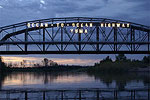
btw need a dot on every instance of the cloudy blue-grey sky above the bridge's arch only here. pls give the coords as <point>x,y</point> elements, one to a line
<point>22,10</point>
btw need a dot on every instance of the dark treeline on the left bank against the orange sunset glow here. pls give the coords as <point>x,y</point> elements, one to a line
<point>45,65</point>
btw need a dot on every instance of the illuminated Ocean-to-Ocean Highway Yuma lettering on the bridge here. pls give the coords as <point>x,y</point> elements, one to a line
<point>78,27</point>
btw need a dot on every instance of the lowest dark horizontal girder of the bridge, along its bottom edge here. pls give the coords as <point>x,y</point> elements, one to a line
<point>72,52</point>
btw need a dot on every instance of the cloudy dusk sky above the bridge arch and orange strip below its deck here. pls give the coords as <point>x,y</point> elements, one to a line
<point>16,11</point>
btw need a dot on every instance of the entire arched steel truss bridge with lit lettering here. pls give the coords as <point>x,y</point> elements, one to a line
<point>63,36</point>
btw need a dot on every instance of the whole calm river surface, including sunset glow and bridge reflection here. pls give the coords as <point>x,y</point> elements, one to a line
<point>73,85</point>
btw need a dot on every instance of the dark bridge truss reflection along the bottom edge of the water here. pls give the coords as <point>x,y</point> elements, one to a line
<point>83,94</point>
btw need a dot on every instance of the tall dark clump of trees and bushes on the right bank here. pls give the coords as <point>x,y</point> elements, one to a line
<point>121,64</point>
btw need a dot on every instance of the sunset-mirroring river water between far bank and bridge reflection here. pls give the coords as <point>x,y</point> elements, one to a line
<point>73,80</point>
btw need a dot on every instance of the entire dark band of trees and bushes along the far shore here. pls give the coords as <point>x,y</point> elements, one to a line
<point>107,65</point>
